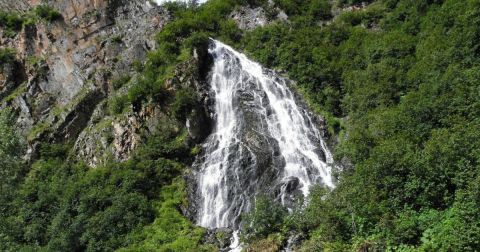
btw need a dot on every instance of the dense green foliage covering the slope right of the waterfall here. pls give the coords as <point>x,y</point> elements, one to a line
<point>402,77</point>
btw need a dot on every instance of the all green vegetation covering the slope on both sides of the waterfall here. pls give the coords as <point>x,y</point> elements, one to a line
<point>398,83</point>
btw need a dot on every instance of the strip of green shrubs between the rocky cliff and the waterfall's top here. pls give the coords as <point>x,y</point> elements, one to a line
<point>190,29</point>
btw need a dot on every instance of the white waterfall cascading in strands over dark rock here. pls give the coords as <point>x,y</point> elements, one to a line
<point>263,142</point>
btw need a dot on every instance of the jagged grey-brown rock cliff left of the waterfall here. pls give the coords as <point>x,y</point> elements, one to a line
<point>65,69</point>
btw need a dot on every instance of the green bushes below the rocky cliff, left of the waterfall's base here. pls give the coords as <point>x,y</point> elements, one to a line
<point>63,205</point>
